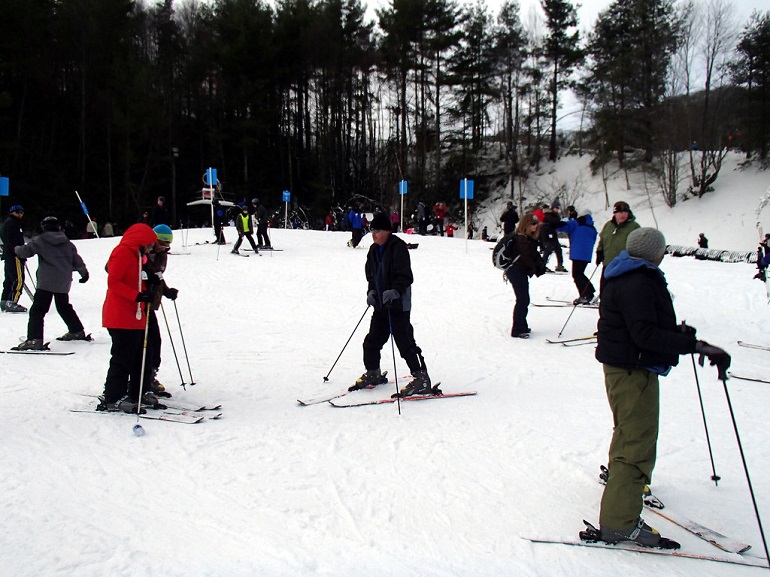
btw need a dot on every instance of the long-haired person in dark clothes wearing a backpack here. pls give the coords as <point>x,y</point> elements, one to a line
<point>528,264</point>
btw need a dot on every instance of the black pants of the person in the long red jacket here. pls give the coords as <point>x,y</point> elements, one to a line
<point>125,371</point>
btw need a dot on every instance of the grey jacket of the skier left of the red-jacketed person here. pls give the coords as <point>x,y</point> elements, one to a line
<point>57,259</point>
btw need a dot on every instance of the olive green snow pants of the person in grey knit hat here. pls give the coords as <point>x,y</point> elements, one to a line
<point>634,399</point>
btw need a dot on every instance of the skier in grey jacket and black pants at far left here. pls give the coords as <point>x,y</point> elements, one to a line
<point>58,259</point>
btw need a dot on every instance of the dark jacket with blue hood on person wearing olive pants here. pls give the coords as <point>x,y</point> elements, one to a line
<point>637,323</point>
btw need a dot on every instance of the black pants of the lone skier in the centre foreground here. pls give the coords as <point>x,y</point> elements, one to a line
<point>403,335</point>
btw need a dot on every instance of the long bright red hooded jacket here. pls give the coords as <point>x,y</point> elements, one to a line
<point>124,280</point>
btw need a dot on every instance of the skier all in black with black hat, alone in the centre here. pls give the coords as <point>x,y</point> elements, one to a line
<point>389,290</point>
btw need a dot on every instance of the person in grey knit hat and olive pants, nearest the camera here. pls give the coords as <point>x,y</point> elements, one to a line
<point>638,340</point>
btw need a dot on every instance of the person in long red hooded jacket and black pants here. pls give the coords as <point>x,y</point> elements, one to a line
<point>124,315</point>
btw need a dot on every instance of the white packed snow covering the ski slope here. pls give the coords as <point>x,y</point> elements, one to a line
<point>449,487</point>
